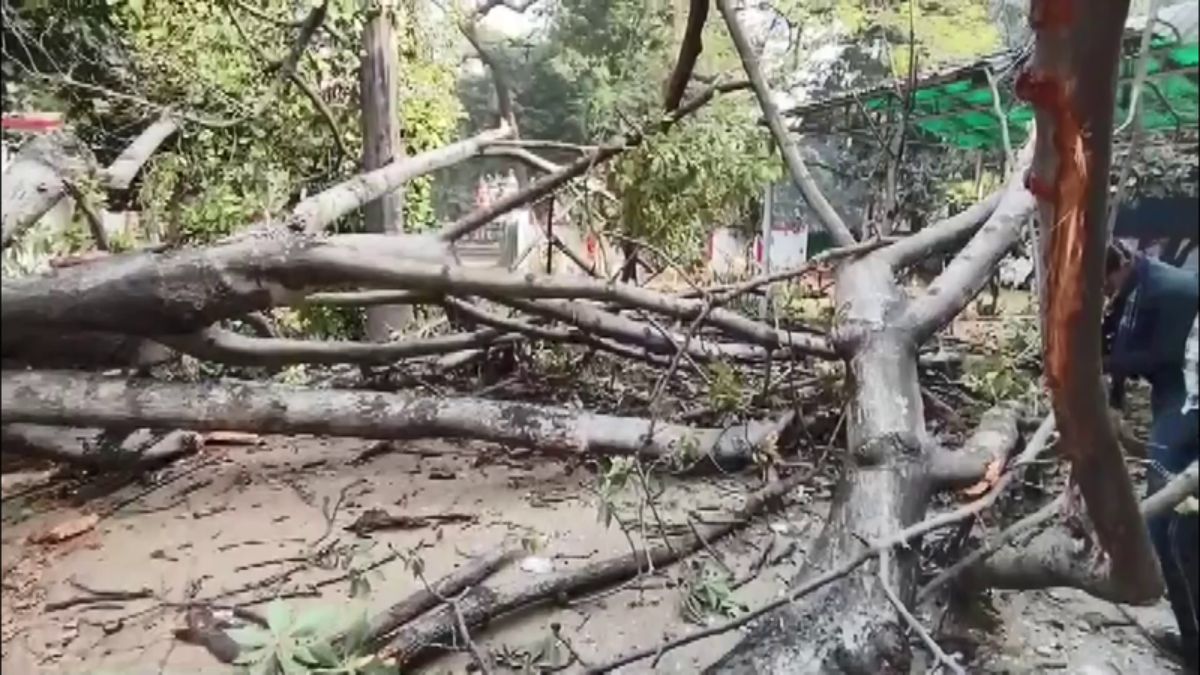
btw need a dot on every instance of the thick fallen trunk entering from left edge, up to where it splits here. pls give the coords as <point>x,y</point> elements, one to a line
<point>181,292</point>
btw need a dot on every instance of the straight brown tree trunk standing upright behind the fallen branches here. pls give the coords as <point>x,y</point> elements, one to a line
<point>382,144</point>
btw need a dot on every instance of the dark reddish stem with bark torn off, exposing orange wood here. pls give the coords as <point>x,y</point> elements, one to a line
<point>1072,86</point>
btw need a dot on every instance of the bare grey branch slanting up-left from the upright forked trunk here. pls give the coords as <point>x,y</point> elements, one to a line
<point>788,148</point>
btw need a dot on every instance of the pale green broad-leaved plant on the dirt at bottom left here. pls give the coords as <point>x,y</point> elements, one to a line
<point>320,641</point>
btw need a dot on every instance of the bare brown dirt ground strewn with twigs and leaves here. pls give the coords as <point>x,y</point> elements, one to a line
<point>224,524</point>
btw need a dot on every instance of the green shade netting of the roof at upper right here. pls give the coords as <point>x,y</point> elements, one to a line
<point>962,114</point>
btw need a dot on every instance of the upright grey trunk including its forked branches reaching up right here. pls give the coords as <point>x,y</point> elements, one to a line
<point>889,475</point>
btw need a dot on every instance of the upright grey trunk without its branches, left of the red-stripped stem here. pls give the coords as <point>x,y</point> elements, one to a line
<point>850,626</point>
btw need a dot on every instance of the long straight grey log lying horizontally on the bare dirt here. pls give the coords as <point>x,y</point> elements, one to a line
<point>70,399</point>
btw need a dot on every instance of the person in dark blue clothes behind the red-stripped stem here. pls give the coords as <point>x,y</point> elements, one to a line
<point>1151,333</point>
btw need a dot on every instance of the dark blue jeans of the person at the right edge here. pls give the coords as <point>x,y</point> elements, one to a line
<point>1174,445</point>
